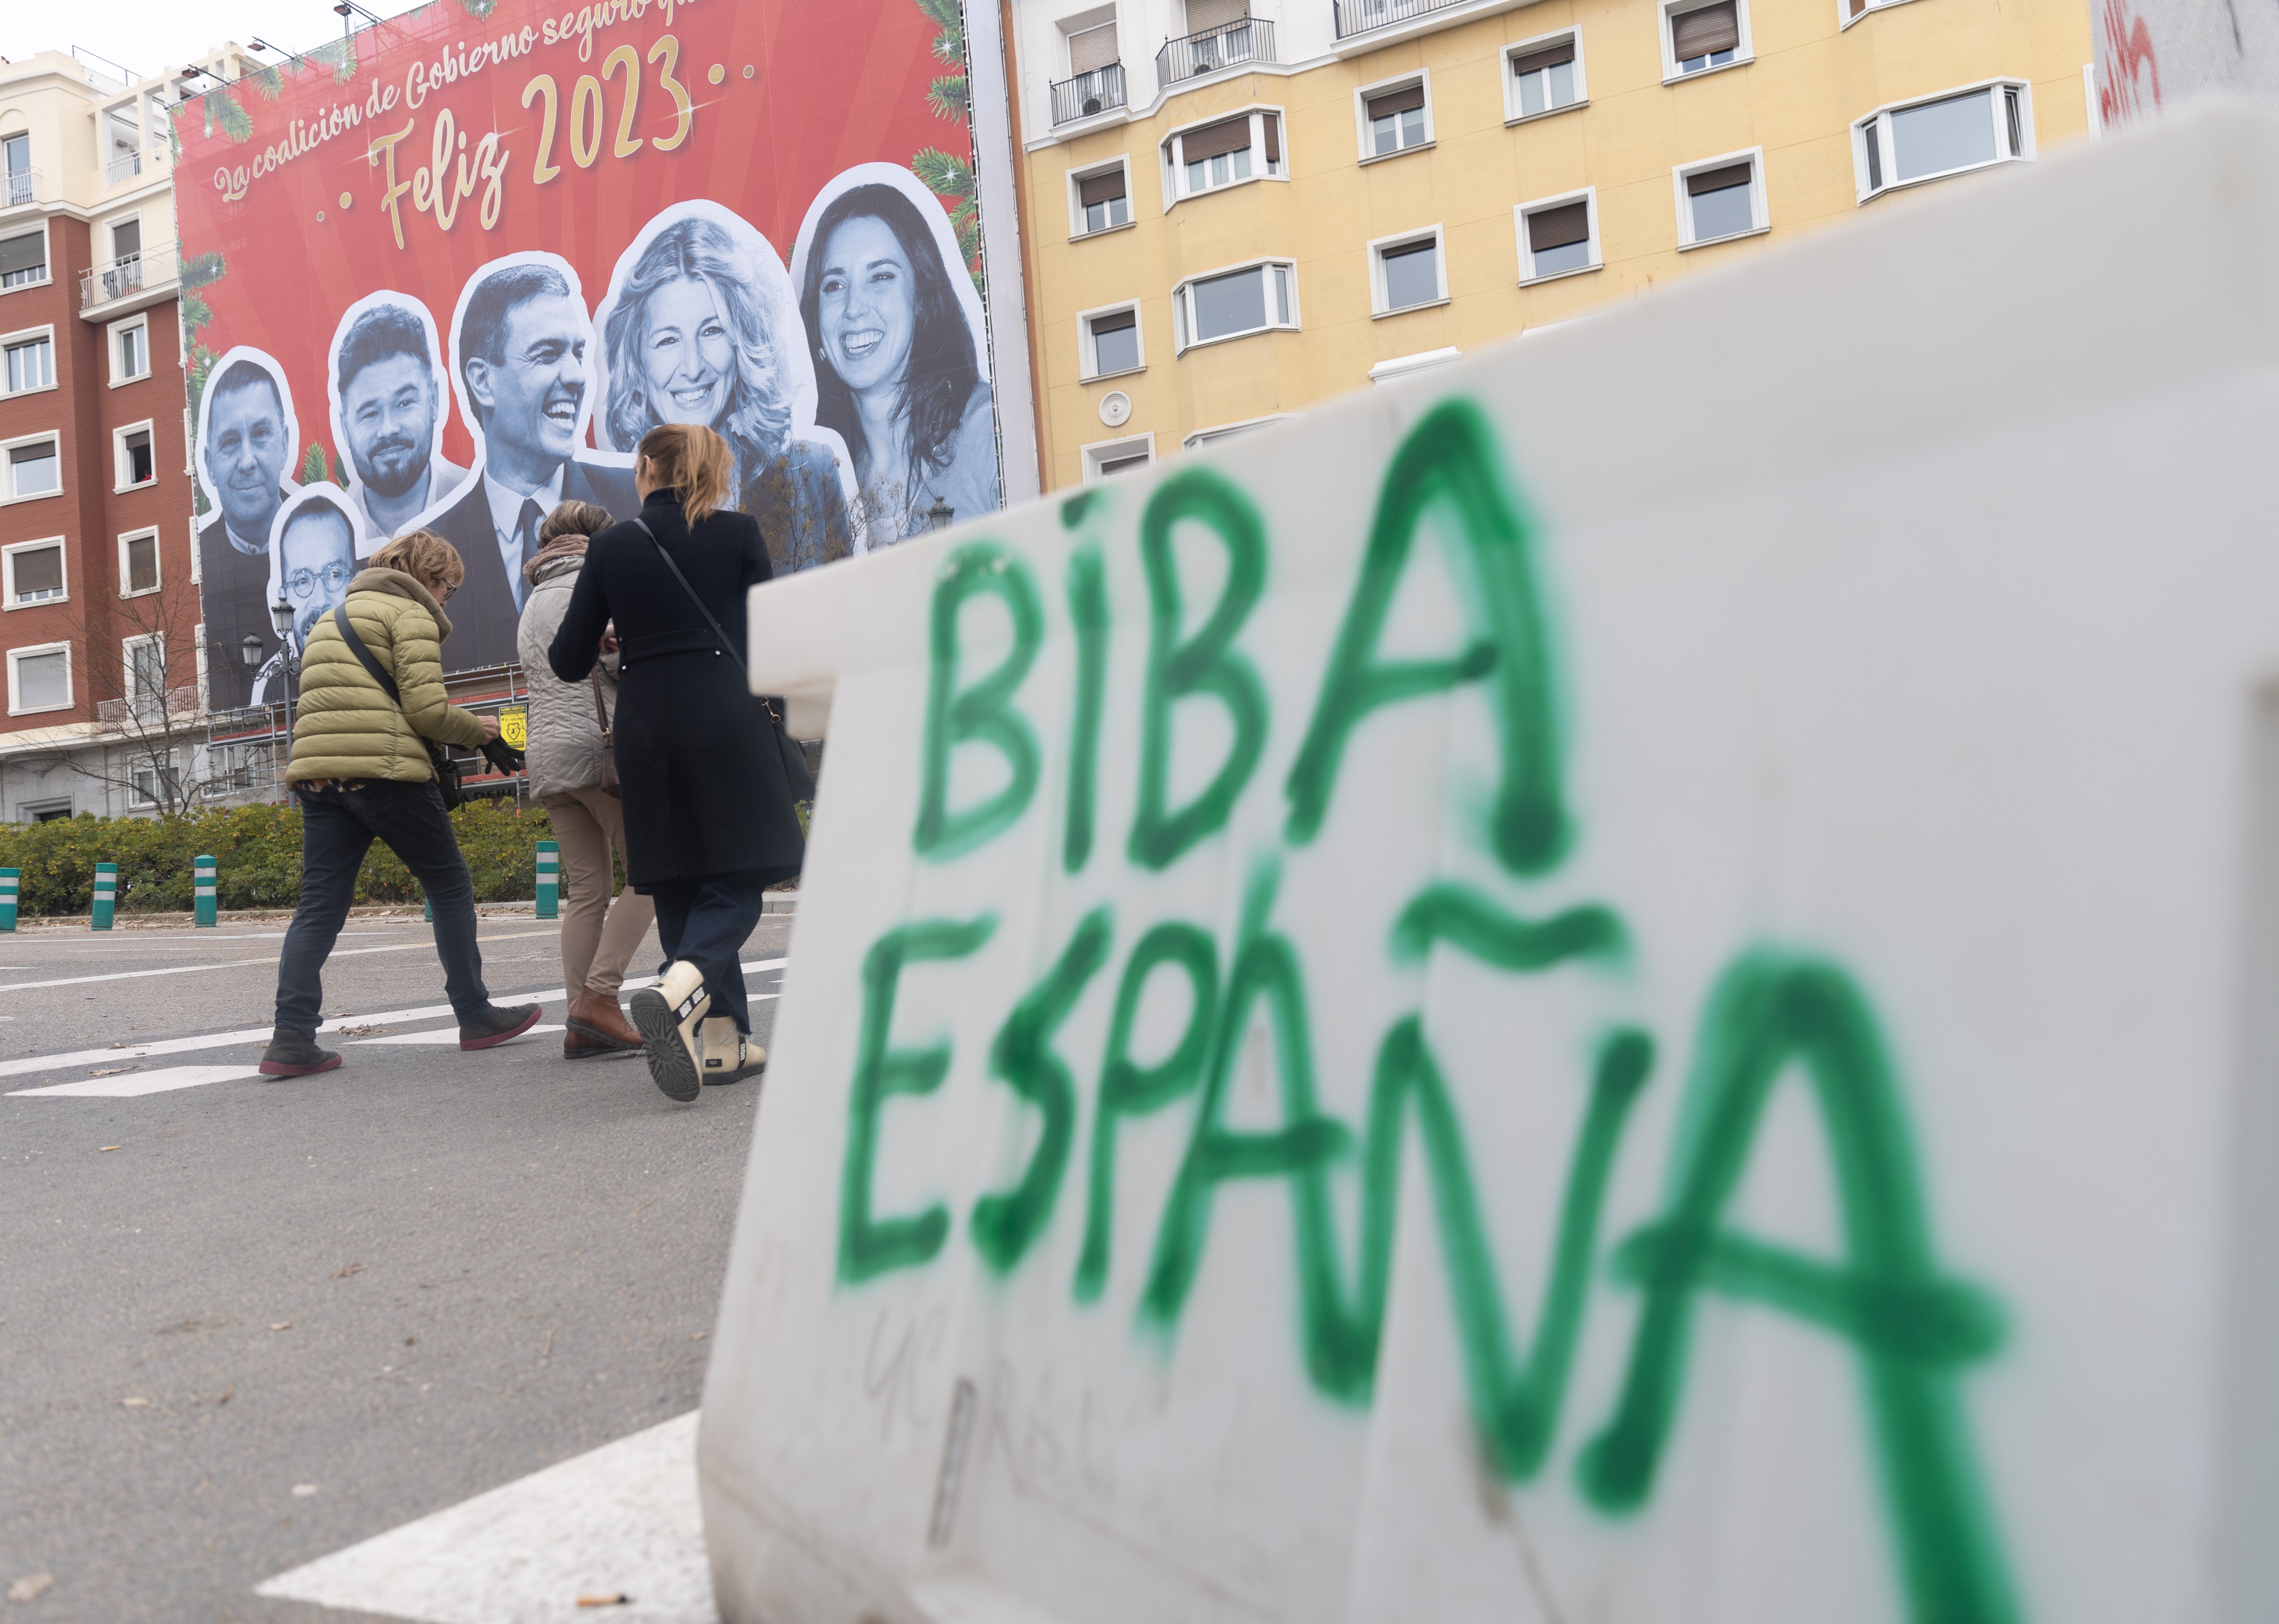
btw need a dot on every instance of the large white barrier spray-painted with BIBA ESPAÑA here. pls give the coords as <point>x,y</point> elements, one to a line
<point>1631,983</point>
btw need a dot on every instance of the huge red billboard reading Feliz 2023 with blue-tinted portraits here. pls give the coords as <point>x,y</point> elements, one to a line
<point>446,272</point>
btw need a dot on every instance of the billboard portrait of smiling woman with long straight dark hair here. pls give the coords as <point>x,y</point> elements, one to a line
<point>897,372</point>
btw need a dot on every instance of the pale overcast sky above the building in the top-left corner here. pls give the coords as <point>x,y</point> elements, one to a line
<point>152,35</point>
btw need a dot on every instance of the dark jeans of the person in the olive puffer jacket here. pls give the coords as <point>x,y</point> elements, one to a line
<point>336,832</point>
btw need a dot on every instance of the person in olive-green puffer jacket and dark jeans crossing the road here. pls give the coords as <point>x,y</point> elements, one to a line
<point>361,773</point>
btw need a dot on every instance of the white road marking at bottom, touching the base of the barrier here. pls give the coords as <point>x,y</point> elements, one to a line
<point>619,1520</point>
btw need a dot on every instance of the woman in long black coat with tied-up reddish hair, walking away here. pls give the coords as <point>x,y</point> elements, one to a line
<point>708,805</point>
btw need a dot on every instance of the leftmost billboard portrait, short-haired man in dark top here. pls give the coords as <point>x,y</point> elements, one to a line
<point>247,448</point>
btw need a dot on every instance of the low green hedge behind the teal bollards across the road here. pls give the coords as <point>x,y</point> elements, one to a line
<point>259,858</point>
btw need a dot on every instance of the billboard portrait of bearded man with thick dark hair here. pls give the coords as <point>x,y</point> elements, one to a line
<point>391,407</point>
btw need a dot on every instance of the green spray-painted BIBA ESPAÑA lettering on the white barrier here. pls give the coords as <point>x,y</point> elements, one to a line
<point>1909,1324</point>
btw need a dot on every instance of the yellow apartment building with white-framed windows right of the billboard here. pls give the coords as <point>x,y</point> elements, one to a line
<point>1236,208</point>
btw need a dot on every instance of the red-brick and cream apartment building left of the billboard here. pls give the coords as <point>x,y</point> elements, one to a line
<point>99,598</point>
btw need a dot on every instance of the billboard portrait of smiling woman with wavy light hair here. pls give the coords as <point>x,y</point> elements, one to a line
<point>694,341</point>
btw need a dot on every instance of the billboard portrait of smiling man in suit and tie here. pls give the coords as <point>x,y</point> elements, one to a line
<point>523,354</point>
